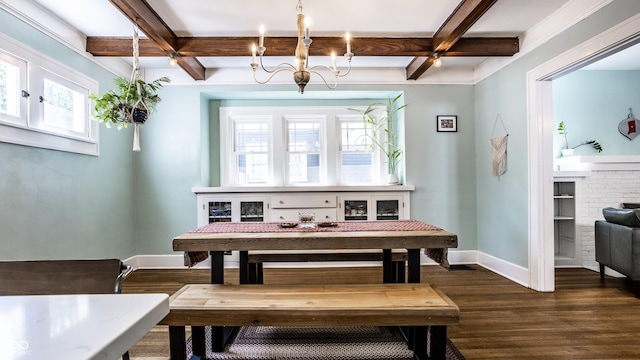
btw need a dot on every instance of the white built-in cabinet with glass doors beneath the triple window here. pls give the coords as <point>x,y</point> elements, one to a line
<point>285,204</point>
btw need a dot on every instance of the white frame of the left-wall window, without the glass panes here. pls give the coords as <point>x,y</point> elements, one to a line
<point>29,129</point>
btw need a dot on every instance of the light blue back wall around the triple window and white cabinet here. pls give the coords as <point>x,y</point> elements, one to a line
<point>440,165</point>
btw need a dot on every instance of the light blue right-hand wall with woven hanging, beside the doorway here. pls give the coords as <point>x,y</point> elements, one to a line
<point>503,204</point>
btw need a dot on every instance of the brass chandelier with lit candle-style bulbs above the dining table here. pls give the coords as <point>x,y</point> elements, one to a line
<point>301,70</point>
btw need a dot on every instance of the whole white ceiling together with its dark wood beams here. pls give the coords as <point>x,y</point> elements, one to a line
<point>212,38</point>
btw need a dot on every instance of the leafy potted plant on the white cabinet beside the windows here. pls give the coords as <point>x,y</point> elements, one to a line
<point>383,125</point>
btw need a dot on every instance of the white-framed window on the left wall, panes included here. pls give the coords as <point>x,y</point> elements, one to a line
<point>44,103</point>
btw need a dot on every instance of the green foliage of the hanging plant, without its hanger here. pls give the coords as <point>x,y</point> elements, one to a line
<point>117,107</point>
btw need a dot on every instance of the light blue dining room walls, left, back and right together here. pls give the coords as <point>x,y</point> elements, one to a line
<point>122,203</point>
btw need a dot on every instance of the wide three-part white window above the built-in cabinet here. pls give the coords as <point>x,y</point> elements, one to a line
<point>279,146</point>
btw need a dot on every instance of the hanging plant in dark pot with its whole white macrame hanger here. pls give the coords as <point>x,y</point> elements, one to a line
<point>132,103</point>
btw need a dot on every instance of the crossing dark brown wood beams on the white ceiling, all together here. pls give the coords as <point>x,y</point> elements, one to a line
<point>448,40</point>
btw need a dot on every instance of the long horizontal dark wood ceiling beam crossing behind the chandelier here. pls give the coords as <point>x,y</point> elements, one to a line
<point>283,46</point>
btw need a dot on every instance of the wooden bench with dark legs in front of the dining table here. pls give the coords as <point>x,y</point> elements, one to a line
<point>414,307</point>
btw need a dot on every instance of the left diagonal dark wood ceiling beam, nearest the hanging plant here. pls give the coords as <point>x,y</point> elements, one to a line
<point>148,21</point>
